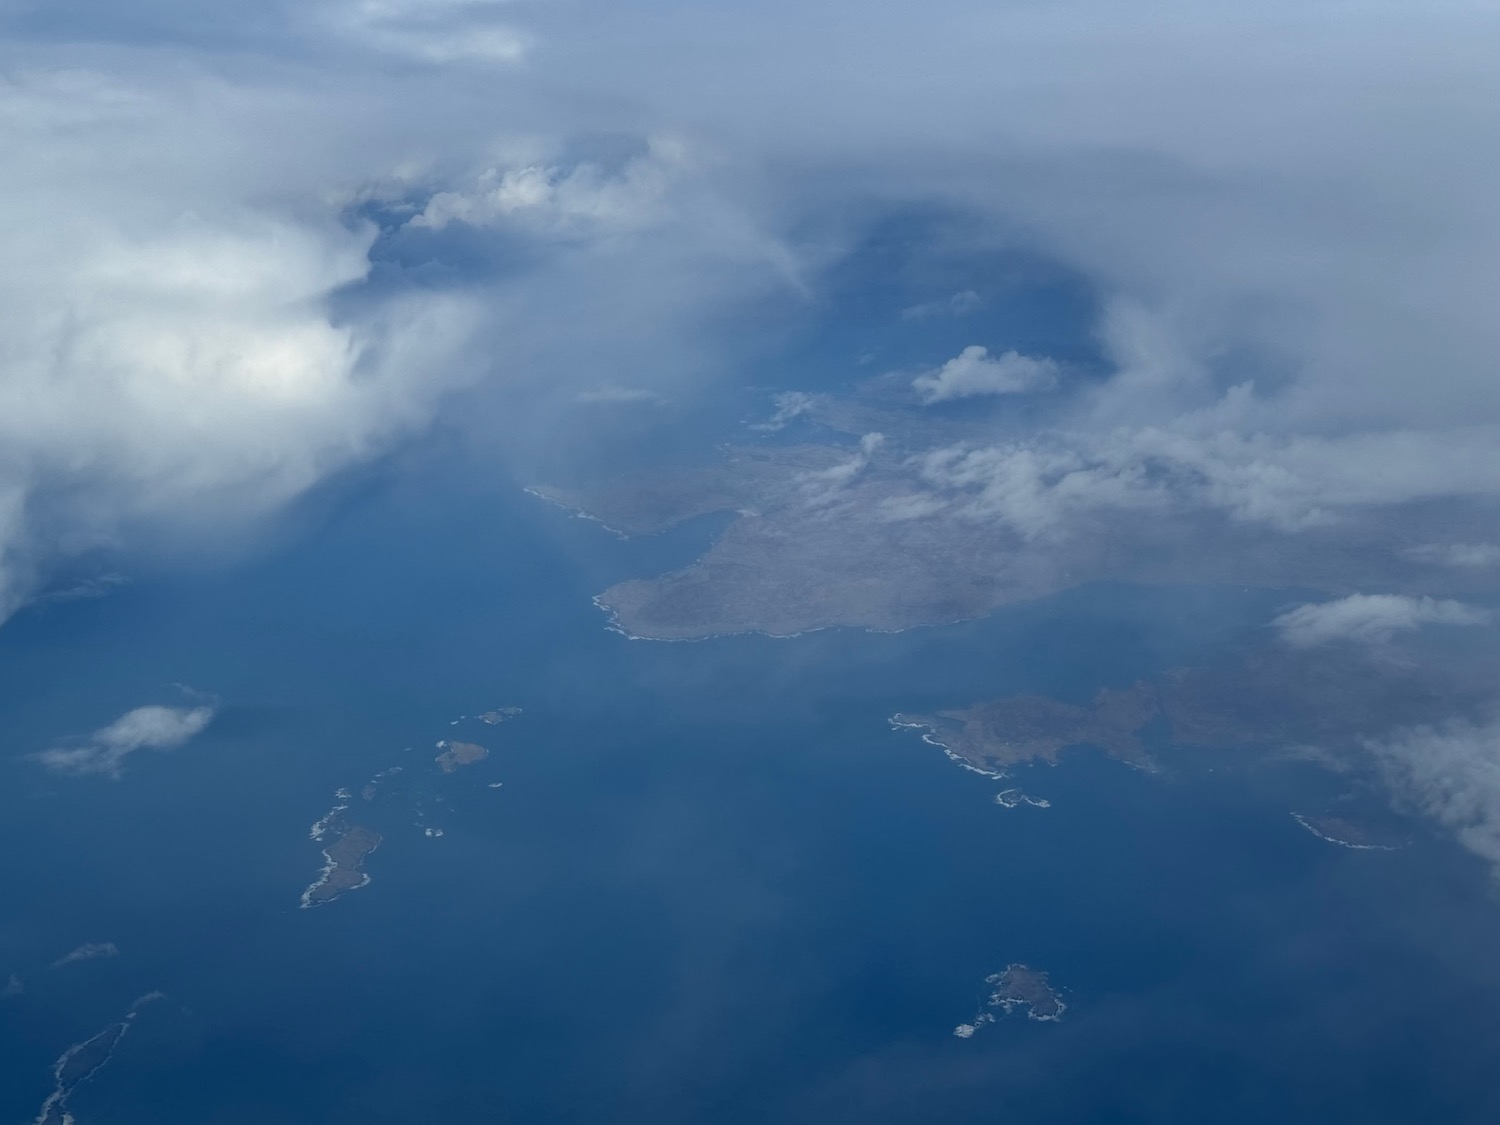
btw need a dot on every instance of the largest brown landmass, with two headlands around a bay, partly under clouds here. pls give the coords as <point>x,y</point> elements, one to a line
<point>895,529</point>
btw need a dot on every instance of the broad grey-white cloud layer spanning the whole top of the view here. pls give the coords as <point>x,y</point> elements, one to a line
<point>250,248</point>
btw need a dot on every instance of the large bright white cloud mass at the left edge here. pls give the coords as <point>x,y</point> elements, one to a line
<point>179,349</point>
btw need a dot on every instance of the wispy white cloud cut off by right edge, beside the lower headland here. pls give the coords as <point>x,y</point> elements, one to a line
<point>1453,775</point>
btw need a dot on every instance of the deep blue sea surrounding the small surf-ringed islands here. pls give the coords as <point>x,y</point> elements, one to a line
<point>715,886</point>
